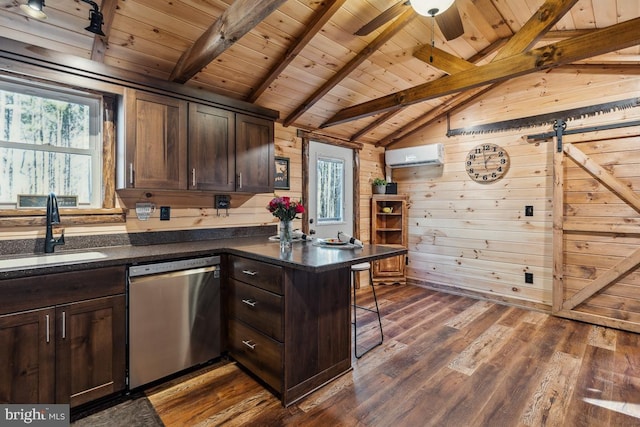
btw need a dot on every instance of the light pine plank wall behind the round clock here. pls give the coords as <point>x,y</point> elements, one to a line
<point>475,238</point>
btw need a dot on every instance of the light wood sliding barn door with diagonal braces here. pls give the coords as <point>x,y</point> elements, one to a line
<point>597,229</point>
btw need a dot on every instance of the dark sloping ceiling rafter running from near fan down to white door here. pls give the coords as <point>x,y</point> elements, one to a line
<point>371,48</point>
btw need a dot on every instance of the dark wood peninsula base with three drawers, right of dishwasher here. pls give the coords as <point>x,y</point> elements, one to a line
<point>314,344</point>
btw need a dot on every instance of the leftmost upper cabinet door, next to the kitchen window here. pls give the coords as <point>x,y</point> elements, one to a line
<point>156,142</point>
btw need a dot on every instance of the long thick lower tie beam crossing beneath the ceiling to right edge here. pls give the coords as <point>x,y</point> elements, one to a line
<point>615,37</point>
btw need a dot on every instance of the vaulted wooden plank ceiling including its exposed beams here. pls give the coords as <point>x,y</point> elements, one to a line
<point>301,57</point>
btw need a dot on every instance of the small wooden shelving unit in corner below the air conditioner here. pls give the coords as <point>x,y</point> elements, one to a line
<point>389,228</point>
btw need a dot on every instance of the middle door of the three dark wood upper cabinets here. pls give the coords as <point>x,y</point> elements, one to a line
<point>211,148</point>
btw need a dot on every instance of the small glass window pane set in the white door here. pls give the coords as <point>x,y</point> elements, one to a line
<point>330,190</point>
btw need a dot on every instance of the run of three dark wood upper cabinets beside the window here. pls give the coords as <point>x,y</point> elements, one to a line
<point>172,144</point>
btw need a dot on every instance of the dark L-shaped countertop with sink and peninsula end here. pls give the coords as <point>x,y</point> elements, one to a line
<point>304,255</point>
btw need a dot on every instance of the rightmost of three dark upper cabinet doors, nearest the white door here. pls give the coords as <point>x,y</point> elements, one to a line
<point>254,154</point>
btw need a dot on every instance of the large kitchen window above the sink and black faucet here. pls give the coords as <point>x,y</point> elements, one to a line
<point>49,142</point>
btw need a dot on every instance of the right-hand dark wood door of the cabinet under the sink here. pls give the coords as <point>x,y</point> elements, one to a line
<point>90,360</point>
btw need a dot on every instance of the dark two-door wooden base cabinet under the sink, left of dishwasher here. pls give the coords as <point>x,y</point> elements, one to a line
<point>63,352</point>
